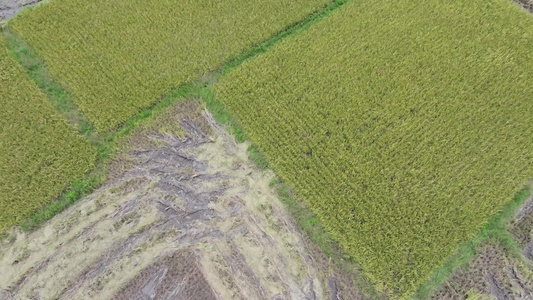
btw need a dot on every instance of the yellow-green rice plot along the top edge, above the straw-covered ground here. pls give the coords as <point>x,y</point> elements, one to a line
<point>118,57</point>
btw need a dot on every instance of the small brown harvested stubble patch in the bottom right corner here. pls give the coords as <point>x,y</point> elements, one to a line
<point>497,272</point>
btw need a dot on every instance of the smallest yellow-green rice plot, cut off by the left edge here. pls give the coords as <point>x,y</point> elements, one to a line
<point>40,153</point>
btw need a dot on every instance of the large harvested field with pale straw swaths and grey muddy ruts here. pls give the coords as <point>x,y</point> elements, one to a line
<point>191,216</point>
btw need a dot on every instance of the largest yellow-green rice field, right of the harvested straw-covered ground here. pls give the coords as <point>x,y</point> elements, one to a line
<point>404,126</point>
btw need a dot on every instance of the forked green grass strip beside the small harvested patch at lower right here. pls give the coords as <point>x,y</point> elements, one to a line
<point>495,230</point>
